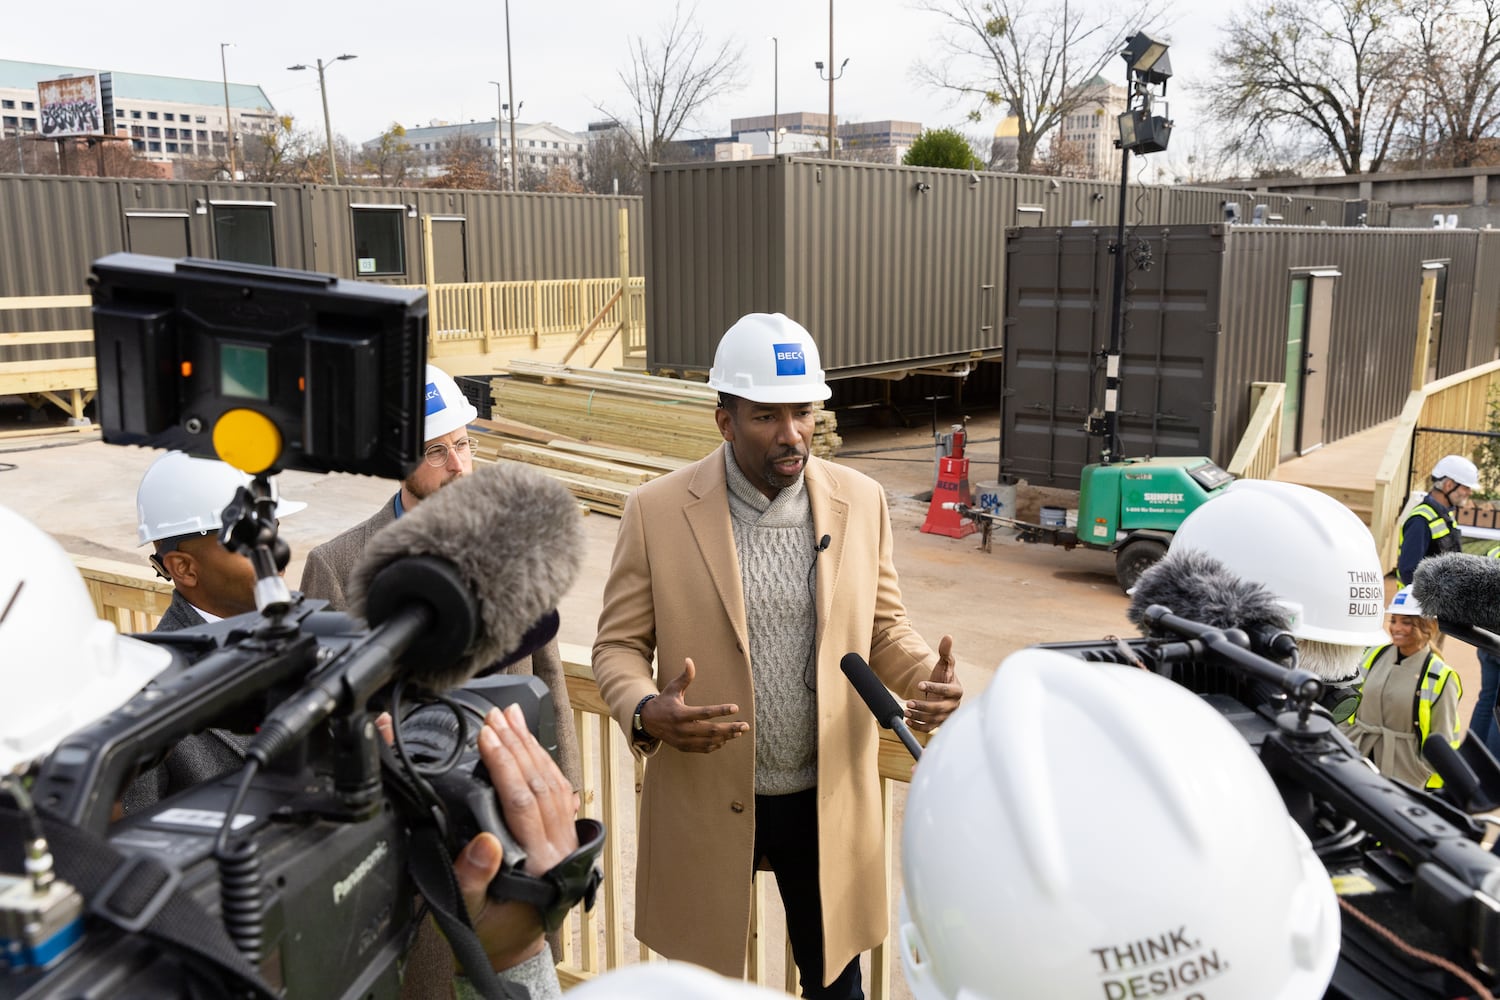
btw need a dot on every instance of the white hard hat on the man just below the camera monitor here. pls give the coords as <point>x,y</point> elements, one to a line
<point>182,496</point>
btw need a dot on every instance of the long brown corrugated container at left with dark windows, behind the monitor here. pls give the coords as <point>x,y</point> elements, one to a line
<point>56,227</point>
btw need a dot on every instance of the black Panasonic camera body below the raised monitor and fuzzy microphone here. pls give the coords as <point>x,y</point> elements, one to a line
<point>334,908</point>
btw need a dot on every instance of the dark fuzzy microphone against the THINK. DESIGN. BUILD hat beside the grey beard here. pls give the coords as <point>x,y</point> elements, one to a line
<point>1202,590</point>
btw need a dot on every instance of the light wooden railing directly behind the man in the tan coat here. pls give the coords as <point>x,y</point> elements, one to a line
<point>595,942</point>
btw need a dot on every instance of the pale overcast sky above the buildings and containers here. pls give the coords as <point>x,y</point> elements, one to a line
<point>421,62</point>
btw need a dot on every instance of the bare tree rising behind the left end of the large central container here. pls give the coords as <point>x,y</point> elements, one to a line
<point>671,82</point>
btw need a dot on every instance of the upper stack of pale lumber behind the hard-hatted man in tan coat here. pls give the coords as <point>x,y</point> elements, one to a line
<point>664,416</point>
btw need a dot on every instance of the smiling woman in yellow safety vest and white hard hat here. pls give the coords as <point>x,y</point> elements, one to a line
<point>1408,693</point>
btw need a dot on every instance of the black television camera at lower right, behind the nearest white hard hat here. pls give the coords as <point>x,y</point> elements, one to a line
<point>1415,872</point>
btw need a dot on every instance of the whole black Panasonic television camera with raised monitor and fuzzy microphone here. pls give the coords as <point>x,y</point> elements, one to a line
<point>298,875</point>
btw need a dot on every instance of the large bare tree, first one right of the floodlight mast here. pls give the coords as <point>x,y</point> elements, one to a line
<point>1325,77</point>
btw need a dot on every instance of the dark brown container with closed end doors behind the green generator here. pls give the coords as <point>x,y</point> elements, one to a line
<point>1210,317</point>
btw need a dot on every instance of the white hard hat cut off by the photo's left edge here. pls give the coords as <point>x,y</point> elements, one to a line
<point>64,666</point>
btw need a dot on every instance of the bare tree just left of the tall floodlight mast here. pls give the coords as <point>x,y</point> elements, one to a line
<point>1031,59</point>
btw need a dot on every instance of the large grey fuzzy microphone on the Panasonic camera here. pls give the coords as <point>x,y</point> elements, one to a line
<point>506,537</point>
